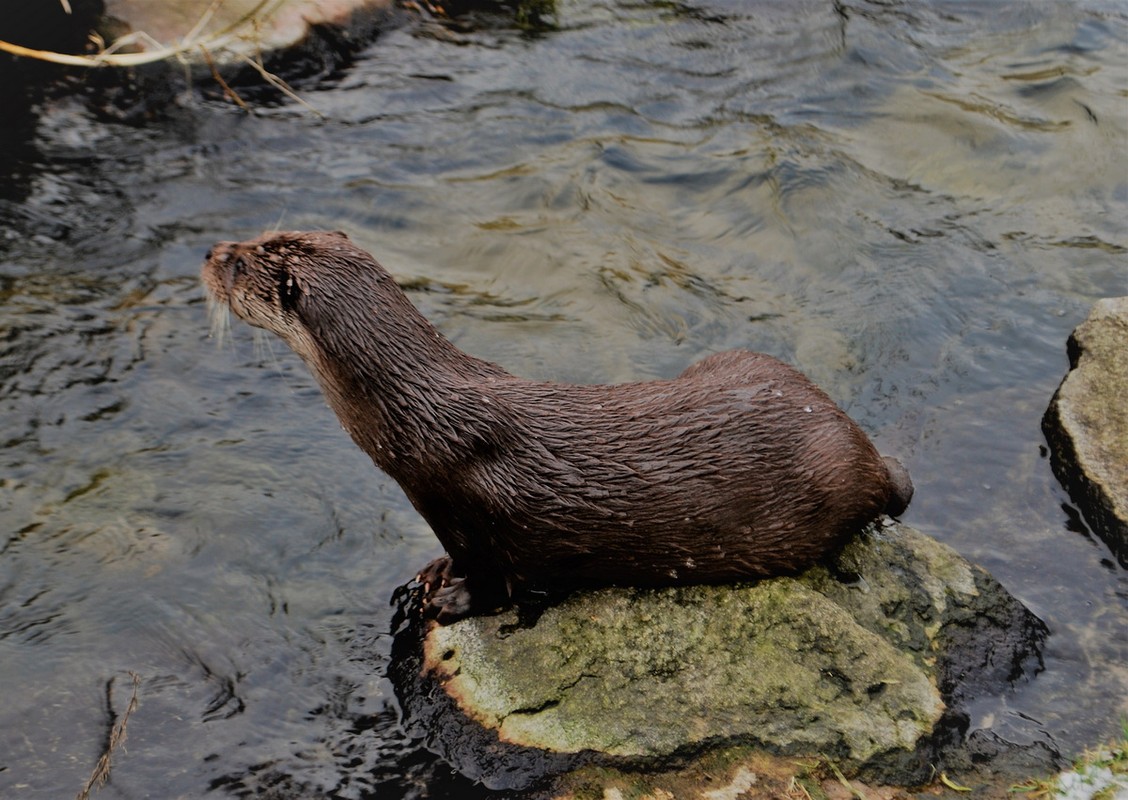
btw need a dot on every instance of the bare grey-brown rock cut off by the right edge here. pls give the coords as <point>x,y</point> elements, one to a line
<point>1087,424</point>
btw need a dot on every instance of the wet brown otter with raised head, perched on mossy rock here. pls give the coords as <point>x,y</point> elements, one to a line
<point>738,469</point>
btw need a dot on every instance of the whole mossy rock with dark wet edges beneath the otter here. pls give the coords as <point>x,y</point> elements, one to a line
<point>867,662</point>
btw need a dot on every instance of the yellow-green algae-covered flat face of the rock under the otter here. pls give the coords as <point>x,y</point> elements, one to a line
<point>645,673</point>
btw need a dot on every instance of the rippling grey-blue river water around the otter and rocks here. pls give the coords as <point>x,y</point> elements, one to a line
<point>914,203</point>
